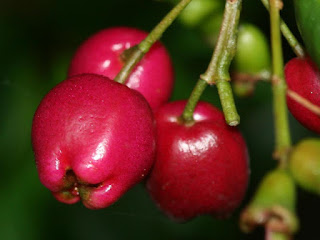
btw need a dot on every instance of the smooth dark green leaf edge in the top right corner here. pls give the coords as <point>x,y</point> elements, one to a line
<point>308,18</point>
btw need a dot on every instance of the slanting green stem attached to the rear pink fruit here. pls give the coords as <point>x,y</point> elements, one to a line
<point>144,46</point>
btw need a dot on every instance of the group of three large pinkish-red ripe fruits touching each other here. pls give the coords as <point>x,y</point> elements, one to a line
<point>94,138</point>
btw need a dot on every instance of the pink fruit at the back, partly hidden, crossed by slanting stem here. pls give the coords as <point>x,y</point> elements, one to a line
<point>101,54</point>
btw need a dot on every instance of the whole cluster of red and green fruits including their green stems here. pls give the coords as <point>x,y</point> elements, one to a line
<point>110,124</point>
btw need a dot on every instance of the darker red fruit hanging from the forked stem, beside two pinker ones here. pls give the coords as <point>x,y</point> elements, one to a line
<point>200,168</point>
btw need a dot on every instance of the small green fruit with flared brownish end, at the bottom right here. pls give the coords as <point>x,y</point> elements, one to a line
<point>273,206</point>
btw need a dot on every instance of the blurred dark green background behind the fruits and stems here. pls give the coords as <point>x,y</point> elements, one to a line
<point>37,41</point>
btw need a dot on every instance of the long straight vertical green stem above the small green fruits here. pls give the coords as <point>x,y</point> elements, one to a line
<point>280,111</point>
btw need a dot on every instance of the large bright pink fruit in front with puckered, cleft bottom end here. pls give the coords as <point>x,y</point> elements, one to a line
<point>93,139</point>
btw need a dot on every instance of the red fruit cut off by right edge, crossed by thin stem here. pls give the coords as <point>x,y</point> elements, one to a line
<point>303,77</point>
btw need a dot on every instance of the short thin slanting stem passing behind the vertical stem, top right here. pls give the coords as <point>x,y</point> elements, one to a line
<point>291,39</point>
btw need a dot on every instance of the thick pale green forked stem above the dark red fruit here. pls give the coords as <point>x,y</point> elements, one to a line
<point>218,69</point>
